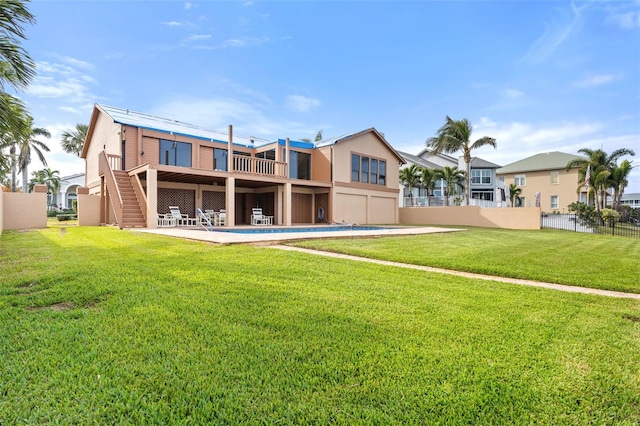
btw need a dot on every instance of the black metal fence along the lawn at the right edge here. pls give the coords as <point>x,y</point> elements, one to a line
<point>571,222</point>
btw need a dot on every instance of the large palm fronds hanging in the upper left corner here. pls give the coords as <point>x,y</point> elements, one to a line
<point>16,66</point>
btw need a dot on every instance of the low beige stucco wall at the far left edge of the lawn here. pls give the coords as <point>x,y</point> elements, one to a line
<point>24,211</point>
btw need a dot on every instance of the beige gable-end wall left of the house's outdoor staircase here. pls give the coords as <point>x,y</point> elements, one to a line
<point>105,138</point>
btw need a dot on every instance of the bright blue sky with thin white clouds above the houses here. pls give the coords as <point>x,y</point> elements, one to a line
<point>537,75</point>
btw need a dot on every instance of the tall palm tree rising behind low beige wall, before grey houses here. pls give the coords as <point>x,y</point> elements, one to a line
<point>455,136</point>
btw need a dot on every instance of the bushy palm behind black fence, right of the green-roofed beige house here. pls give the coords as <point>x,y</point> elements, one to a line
<point>601,166</point>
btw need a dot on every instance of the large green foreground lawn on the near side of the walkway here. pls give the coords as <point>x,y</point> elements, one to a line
<point>104,326</point>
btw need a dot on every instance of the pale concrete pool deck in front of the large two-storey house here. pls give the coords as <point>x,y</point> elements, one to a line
<point>226,237</point>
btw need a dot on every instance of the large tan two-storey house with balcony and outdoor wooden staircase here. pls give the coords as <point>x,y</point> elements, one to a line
<point>141,165</point>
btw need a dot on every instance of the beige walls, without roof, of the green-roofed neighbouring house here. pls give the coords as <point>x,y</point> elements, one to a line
<point>540,181</point>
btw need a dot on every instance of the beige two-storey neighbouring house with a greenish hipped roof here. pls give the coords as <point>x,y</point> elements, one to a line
<point>547,174</point>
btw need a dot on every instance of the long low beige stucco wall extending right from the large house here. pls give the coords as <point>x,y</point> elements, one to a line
<point>509,218</point>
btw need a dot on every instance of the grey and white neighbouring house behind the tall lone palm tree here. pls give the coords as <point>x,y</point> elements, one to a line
<point>483,176</point>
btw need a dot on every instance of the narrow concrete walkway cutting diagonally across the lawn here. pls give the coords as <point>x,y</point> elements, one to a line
<point>560,287</point>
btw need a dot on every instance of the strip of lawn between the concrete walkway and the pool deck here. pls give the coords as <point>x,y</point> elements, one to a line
<point>571,258</point>
